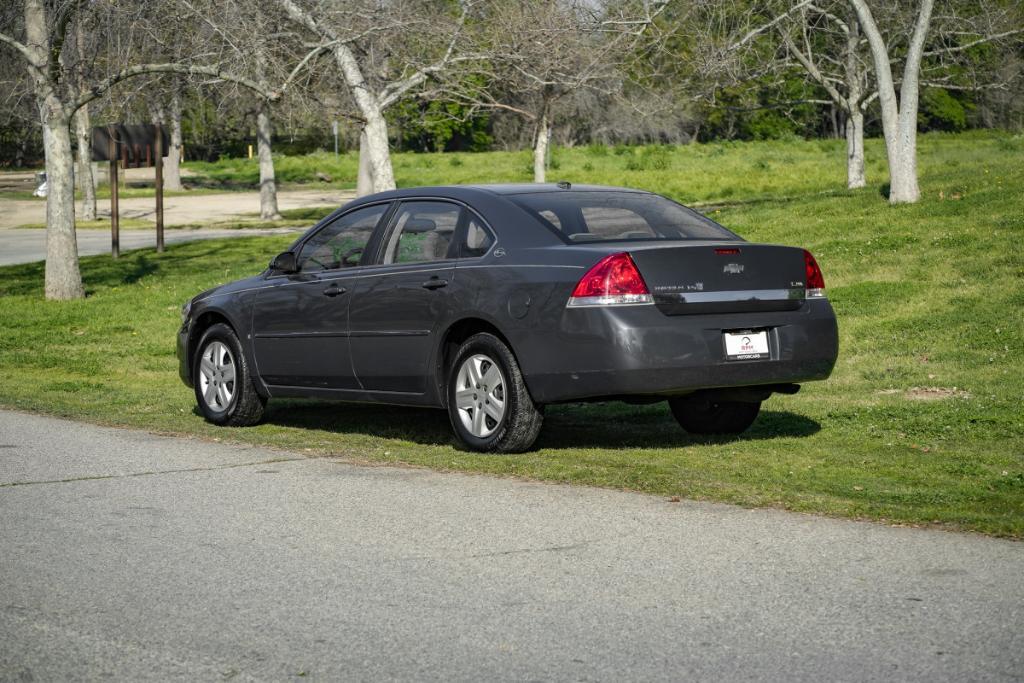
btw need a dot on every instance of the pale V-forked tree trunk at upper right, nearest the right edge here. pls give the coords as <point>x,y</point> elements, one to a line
<point>900,118</point>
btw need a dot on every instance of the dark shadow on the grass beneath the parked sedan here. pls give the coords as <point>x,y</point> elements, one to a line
<point>572,426</point>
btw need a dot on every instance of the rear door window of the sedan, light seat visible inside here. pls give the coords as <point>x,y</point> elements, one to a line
<point>423,233</point>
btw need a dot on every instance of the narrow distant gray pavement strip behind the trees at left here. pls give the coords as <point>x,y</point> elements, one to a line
<point>28,245</point>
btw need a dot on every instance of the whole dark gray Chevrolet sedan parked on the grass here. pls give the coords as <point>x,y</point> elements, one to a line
<point>494,302</point>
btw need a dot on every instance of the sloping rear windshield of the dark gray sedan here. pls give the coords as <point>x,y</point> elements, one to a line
<point>603,217</point>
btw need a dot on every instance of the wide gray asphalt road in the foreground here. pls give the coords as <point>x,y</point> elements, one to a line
<point>132,557</point>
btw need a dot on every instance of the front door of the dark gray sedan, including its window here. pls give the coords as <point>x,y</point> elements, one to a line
<point>301,322</point>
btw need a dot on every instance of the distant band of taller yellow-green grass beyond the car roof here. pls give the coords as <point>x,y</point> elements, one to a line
<point>712,174</point>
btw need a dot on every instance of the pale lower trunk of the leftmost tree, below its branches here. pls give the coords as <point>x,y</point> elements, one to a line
<point>64,281</point>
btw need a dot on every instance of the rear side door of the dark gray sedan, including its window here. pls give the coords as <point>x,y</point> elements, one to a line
<point>398,308</point>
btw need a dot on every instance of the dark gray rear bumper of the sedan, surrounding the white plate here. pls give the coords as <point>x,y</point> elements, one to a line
<point>639,352</point>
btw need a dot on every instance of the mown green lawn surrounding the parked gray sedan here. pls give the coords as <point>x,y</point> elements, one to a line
<point>921,423</point>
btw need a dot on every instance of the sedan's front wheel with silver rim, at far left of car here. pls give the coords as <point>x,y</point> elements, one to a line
<point>223,381</point>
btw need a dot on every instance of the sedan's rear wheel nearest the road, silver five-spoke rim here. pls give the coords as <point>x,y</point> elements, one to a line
<point>513,422</point>
